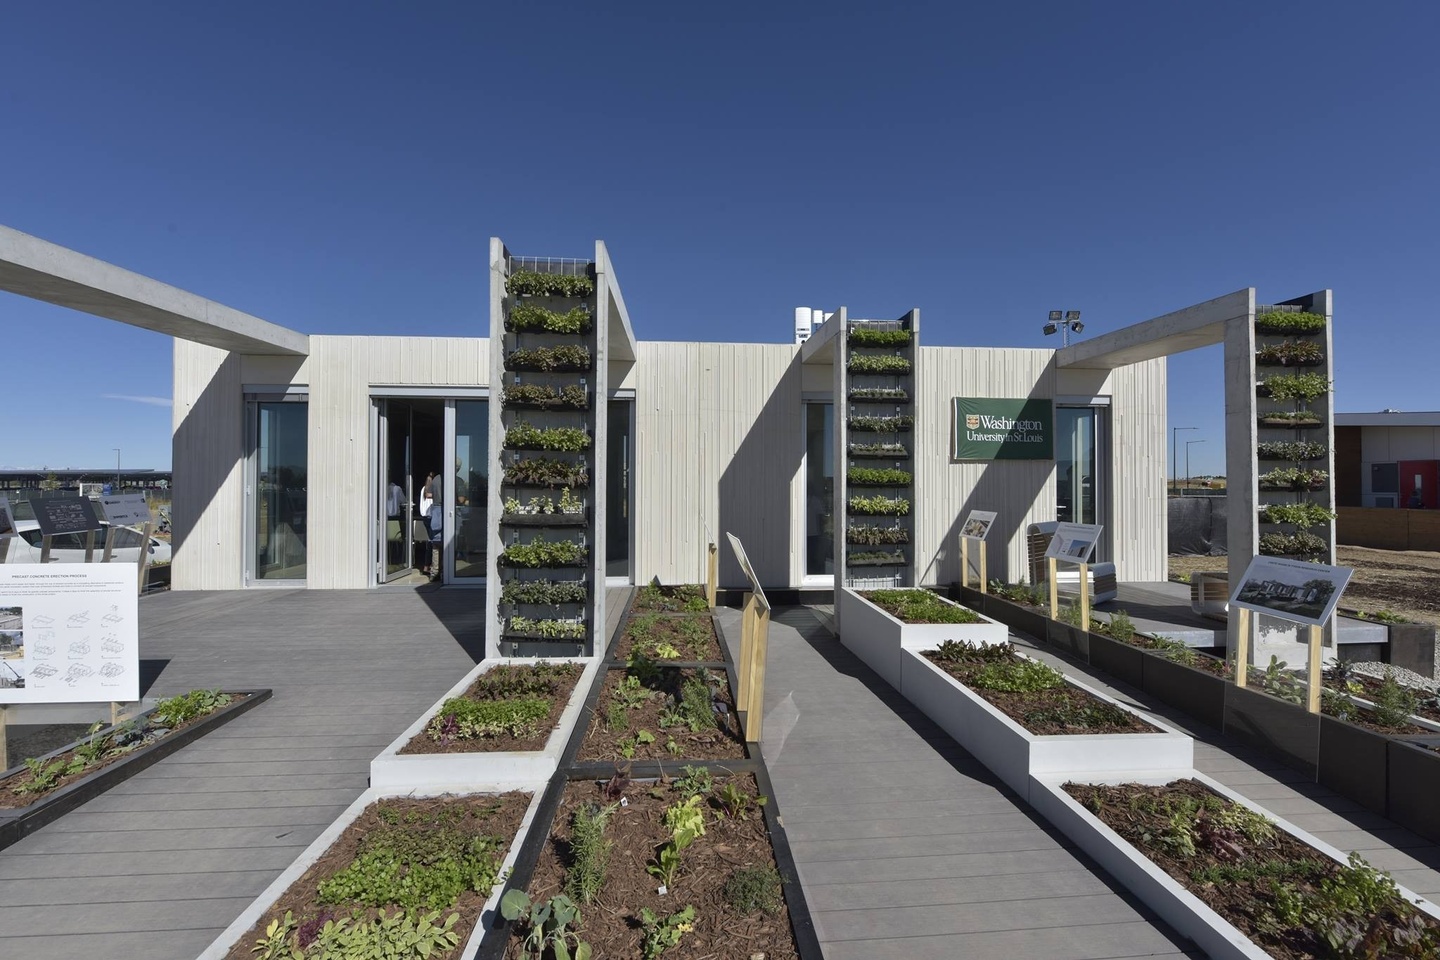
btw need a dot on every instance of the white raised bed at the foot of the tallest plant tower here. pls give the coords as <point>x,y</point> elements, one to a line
<point>499,736</point>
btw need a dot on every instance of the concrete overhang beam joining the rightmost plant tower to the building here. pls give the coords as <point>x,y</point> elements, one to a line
<point>1190,329</point>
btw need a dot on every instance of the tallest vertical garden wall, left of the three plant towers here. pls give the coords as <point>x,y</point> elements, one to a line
<point>548,530</point>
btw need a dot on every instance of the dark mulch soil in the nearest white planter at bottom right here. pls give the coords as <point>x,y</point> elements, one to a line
<point>1140,815</point>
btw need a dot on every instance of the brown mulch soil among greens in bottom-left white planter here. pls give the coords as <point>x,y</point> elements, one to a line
<point>490,815</point>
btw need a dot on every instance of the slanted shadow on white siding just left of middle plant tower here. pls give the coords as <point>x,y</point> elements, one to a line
<point>755,489</point>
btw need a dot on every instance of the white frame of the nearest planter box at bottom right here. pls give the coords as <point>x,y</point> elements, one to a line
<point>1161,893</point>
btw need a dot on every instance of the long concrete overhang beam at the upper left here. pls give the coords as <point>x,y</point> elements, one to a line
<point>54,274</point>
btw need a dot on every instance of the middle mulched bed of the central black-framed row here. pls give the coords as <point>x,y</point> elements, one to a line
<point>649,712</point>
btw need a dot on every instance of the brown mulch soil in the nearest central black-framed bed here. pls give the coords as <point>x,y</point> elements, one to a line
<point>611,925</point>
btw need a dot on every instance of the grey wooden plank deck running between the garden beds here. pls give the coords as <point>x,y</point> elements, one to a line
<point>905,844</point>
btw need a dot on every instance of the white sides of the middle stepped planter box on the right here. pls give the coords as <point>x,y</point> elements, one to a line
<point>1016,755</point>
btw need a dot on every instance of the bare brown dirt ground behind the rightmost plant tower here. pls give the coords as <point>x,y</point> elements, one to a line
<point>1405,582</point>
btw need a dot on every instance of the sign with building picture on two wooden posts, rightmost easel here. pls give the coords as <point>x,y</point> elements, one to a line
<point>1295,591</point>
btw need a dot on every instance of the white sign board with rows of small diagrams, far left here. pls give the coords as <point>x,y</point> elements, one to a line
<point>70,633</point>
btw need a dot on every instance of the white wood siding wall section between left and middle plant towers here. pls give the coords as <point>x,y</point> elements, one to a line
<point>719,441</point>
